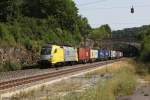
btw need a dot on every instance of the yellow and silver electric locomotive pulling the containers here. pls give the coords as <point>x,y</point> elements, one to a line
<point>56,55</point>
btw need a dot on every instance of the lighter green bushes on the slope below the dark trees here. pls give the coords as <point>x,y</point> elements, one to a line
<point>25,31</point>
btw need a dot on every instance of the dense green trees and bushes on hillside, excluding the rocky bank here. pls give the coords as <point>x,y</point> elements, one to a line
<point>34,22</point>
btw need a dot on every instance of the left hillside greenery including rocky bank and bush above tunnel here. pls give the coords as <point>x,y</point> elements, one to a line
<point>29,24</point>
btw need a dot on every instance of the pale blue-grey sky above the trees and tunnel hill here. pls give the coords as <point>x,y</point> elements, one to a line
<point>116,13</point>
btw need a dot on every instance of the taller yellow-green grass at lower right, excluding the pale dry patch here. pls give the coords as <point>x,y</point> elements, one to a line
<point>122,83</point>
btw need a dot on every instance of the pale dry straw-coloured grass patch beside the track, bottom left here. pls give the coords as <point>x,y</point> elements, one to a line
<point>47,92</point>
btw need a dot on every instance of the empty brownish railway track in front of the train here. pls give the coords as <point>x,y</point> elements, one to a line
<point>31,79</point>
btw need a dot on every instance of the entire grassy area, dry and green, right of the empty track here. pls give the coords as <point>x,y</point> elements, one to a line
<point>122,82</point>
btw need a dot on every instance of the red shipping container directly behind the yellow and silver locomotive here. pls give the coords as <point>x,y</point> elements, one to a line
<point>84,54</point>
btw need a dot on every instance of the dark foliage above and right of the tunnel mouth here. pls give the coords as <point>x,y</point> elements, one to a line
<point>140,33</point>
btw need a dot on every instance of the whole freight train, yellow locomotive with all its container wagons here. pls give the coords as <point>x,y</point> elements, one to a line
<point>59,55</point>
